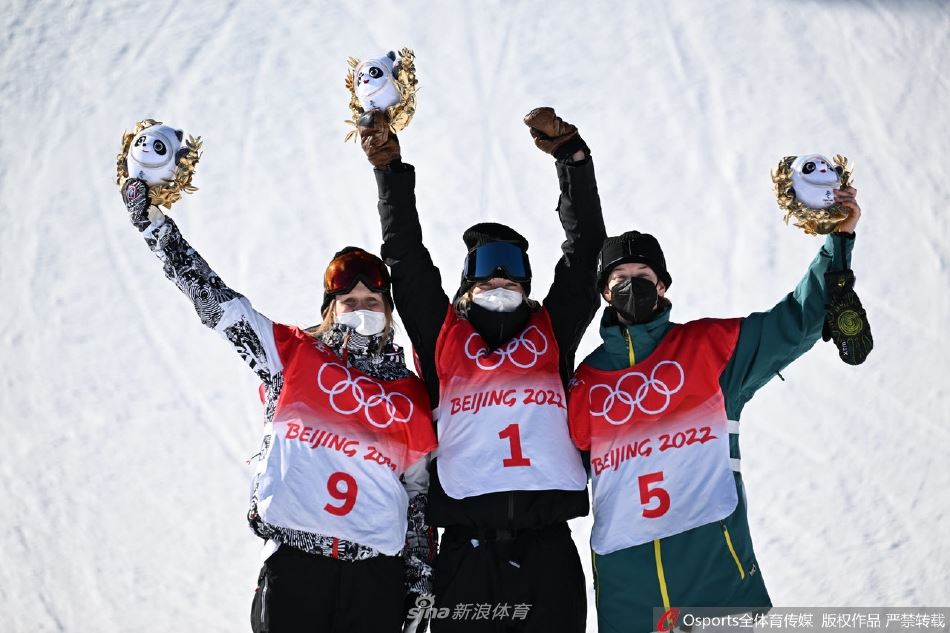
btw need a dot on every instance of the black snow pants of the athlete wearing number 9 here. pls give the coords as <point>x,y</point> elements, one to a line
<point>299,592</point>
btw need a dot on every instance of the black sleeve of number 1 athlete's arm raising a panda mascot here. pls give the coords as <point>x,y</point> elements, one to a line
<point>417,284</point>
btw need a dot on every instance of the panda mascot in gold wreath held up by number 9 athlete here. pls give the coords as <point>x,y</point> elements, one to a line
<point>159,155</point>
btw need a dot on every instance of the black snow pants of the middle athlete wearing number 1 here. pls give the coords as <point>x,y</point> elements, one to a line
<point>494,581</point>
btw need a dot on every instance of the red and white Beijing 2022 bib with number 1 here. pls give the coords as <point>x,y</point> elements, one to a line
<point>503,413</point>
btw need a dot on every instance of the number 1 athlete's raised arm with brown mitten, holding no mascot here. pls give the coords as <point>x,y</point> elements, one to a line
<point>572,299</point>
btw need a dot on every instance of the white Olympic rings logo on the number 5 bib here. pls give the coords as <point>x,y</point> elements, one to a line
<point>629,399</point>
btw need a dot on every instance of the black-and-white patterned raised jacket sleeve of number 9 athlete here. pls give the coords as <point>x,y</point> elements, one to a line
<point>250,333</point>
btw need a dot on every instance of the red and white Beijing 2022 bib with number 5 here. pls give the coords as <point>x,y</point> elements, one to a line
<point>659,437</point>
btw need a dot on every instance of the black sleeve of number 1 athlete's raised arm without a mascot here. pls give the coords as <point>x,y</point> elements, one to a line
<point>573,299</point>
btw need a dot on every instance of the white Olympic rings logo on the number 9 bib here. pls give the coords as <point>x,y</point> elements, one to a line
<point>349,396</point>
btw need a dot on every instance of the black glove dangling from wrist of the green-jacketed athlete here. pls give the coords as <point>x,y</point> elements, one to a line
<point>846,323</point>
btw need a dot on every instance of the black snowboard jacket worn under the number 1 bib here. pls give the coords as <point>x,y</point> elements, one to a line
<point>571,302</point>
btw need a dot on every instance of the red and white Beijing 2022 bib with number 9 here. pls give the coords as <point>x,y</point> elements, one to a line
<point>340,441</point>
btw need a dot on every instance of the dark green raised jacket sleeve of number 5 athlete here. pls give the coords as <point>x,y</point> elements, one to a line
<point>769,341</point>
